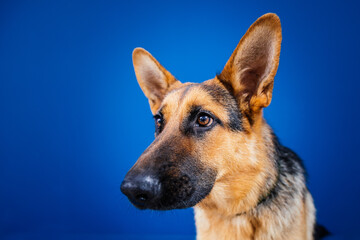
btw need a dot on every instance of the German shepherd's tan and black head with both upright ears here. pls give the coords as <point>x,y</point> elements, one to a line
<point>209,134</point>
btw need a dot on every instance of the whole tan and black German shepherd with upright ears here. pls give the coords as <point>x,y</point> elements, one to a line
<point>214,151</point>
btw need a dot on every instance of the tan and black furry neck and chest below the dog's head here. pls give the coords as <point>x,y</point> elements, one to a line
<point>223,217</point>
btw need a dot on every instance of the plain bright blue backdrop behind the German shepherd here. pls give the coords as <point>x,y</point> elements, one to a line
<point>73,119</point>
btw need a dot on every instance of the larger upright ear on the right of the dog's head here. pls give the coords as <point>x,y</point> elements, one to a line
<point>250,71</point>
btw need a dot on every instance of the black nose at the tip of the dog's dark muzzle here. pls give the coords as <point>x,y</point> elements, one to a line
<point>142,191</point>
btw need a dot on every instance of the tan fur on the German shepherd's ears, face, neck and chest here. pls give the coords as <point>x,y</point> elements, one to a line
<point>242,160</point>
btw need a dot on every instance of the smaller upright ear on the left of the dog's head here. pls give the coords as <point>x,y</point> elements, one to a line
<point>154,80</point>
